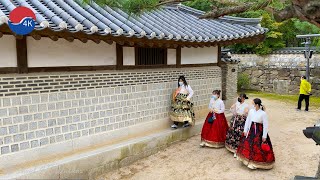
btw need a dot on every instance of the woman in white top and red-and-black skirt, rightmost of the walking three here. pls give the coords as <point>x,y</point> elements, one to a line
<point>255,148</point>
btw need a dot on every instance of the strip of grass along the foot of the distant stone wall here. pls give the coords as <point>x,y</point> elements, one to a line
<point>314,101</point>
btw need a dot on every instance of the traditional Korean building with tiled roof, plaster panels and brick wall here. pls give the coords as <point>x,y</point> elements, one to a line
<point>88,75</point>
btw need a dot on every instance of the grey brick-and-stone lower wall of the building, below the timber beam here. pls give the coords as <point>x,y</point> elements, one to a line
<point>43,114</point>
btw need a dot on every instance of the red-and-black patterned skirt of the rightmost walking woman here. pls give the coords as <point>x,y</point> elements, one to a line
<point>250,152</point>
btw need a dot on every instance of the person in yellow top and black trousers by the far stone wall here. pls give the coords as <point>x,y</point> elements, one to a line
<point>305,92</point>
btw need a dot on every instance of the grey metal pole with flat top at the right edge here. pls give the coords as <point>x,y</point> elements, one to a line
<point>308,53</point>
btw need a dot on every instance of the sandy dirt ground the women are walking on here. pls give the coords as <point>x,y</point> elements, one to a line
<point>295,154</point>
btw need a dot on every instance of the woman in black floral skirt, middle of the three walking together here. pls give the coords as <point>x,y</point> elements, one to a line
<point>240,111</point>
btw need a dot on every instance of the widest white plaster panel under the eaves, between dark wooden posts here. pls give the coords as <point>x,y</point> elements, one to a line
<point>48,53</point>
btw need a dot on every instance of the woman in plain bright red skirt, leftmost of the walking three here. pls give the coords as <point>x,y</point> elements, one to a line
<point>215,127</point>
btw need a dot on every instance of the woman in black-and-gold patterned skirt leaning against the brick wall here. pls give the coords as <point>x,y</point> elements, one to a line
<point>182,107</point>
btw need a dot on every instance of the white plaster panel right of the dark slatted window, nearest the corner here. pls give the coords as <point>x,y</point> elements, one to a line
<point>199,55</point>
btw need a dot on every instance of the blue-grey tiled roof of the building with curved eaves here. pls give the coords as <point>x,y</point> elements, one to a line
<point>176,22</point>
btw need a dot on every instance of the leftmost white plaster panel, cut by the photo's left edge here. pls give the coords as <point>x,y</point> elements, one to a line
<point>8,52</point>
